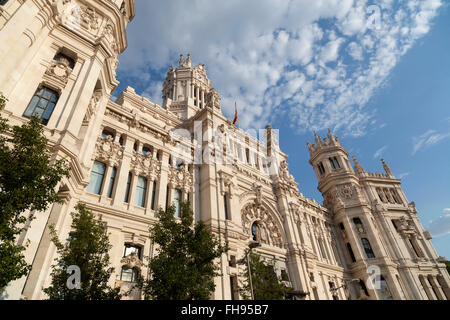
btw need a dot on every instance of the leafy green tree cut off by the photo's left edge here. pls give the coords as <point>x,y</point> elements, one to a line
<point>28,178</point>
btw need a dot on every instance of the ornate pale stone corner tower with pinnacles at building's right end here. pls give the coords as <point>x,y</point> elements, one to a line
<point>385,245</point>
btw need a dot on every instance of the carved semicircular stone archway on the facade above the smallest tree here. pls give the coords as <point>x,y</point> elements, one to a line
<point>268,229</point>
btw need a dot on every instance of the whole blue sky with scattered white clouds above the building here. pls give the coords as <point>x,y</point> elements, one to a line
<point>377,73</point>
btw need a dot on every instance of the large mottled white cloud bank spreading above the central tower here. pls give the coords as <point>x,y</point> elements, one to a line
<point>249,48</point>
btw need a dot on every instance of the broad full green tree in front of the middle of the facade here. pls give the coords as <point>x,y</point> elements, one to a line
<point>184,267</point>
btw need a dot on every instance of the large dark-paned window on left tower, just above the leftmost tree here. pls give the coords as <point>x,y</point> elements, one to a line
<point>42,105</point>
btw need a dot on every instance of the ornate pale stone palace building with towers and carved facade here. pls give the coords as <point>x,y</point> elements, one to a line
<point>132,156</point>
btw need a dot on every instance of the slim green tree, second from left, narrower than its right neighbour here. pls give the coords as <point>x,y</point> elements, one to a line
<point>87,247</point>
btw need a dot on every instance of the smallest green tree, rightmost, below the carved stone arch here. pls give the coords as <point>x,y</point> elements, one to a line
<point>266,284</point>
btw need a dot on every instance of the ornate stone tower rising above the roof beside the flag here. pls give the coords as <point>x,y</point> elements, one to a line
<point>187,89</point>
